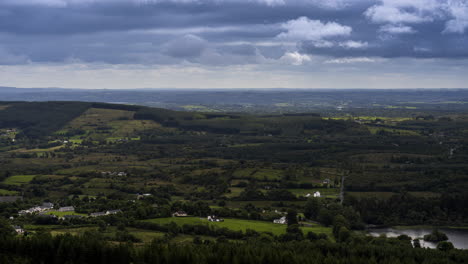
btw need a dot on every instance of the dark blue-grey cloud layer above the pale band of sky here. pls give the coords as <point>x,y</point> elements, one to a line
<point>169,32</point>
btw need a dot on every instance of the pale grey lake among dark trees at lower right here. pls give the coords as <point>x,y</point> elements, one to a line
<point>459,237</point>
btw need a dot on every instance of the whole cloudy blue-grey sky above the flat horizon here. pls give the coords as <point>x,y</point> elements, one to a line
<point>234,43</point>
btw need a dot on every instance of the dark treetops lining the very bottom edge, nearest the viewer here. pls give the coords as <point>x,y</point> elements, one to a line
<point>90,248</point>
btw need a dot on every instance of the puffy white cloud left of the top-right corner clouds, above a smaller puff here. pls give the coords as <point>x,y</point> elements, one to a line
<point>303,28</point>
